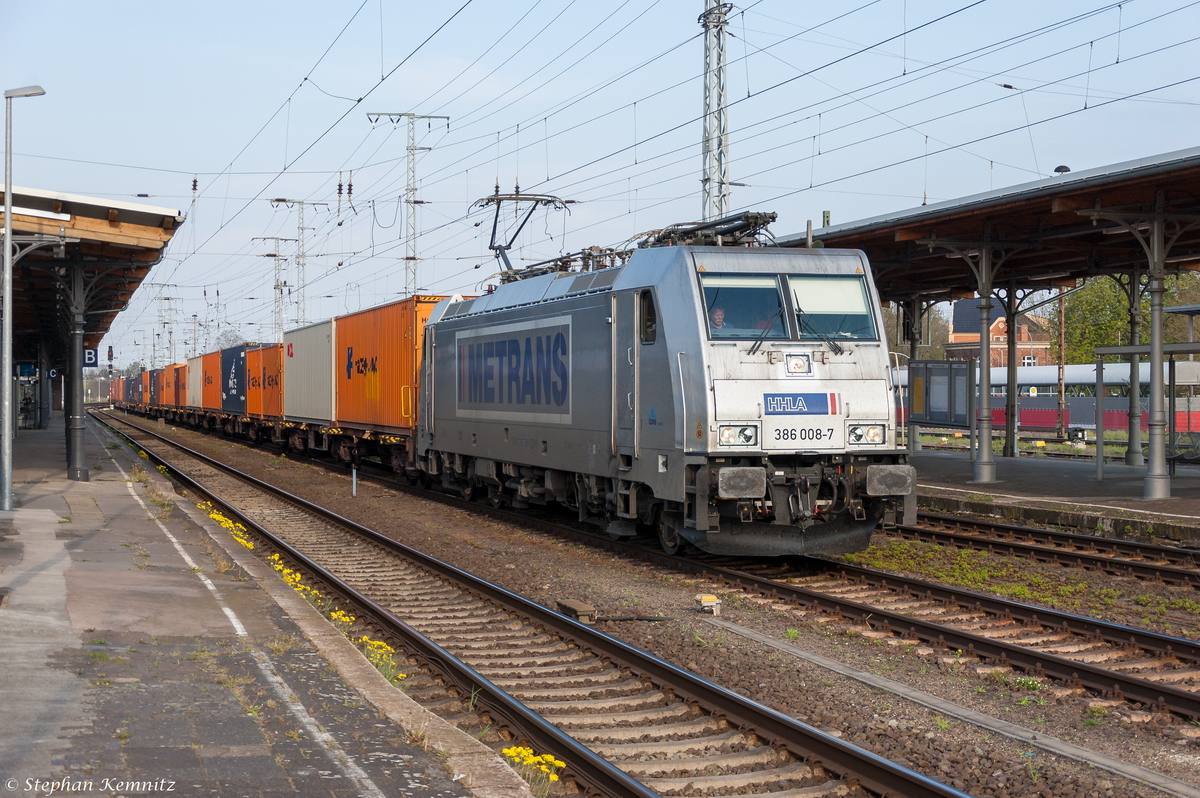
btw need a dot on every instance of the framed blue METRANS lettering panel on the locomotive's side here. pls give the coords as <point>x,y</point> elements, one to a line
<point>517,369</point>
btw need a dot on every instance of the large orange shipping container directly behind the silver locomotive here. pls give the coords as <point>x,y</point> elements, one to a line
<point>377,363</point>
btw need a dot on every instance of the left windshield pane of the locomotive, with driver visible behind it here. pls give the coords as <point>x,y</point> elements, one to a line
<point>745,307</point>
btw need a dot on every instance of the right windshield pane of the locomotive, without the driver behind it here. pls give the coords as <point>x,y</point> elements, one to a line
<point>832,308</point>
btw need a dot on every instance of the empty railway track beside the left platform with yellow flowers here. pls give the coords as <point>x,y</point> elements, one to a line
<point>626,723</point>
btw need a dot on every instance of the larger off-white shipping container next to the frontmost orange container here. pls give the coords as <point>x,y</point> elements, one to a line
<point>309,374</point>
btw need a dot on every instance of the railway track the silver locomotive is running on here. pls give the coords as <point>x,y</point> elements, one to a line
<point>967,628</point>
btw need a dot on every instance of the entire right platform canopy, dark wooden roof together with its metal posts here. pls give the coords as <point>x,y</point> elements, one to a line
<point>1137,221</point>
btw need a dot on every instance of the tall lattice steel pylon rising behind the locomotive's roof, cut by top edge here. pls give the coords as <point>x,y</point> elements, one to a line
<point>716,178</point>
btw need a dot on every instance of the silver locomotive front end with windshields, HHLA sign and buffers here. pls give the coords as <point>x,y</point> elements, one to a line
<point>801,453</point>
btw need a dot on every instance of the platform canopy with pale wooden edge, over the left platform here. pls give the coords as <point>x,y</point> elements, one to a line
<point>79,253</point>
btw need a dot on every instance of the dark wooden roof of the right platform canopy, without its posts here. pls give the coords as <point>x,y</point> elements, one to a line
<point>1045,230</point>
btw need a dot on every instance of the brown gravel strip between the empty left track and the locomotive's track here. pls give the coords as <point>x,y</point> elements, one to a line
<point>961,754</point>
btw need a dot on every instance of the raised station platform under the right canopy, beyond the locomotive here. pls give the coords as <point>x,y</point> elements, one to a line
<point>1039,490</point>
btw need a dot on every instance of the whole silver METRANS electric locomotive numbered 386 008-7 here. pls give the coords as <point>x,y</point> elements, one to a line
<point>736,399</point>
